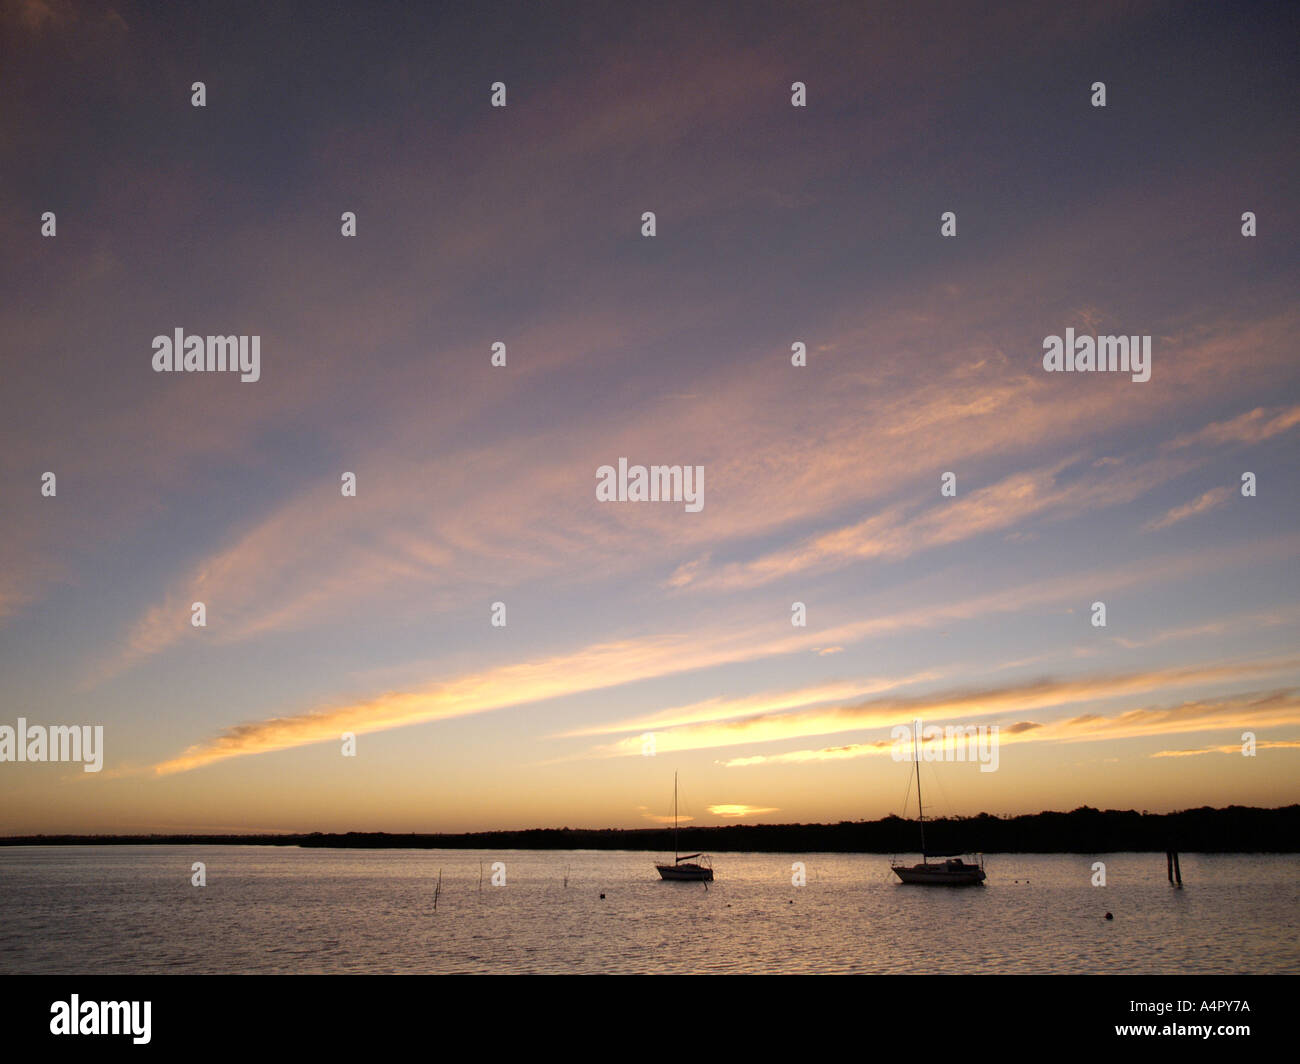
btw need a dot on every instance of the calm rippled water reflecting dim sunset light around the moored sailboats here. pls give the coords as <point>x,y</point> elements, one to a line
<point>132,910</point>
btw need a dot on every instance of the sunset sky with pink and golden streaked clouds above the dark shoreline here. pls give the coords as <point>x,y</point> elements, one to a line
<point>476,485</point>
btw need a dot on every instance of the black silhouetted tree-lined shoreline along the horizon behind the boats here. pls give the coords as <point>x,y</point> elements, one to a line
<point>1233,831</point>
